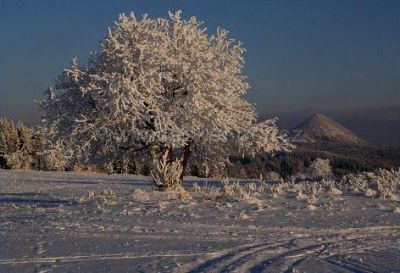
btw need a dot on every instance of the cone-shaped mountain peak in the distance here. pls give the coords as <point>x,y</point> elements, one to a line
<point>320,128</point>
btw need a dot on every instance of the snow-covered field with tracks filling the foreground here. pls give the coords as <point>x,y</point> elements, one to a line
<point>85,222</point>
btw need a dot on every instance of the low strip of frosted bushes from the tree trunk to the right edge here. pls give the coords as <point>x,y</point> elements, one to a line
<point>383,184</point>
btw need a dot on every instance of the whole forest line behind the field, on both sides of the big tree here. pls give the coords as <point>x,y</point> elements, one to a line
<point>22,147</point>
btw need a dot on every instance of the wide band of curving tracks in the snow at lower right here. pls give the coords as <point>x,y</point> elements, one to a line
<point>287,255</point>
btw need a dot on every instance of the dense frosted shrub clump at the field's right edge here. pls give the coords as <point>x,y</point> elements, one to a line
<point>382,183</point>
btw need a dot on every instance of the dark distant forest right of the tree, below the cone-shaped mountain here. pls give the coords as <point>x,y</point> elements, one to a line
<point>344,159</point>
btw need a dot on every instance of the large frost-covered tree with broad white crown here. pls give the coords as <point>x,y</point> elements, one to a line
<point>158,86</point>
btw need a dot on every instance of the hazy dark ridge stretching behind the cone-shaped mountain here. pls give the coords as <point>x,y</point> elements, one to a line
<point>380,125</point>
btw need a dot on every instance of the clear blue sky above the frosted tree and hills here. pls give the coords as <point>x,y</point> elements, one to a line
<point>300,54</point>
